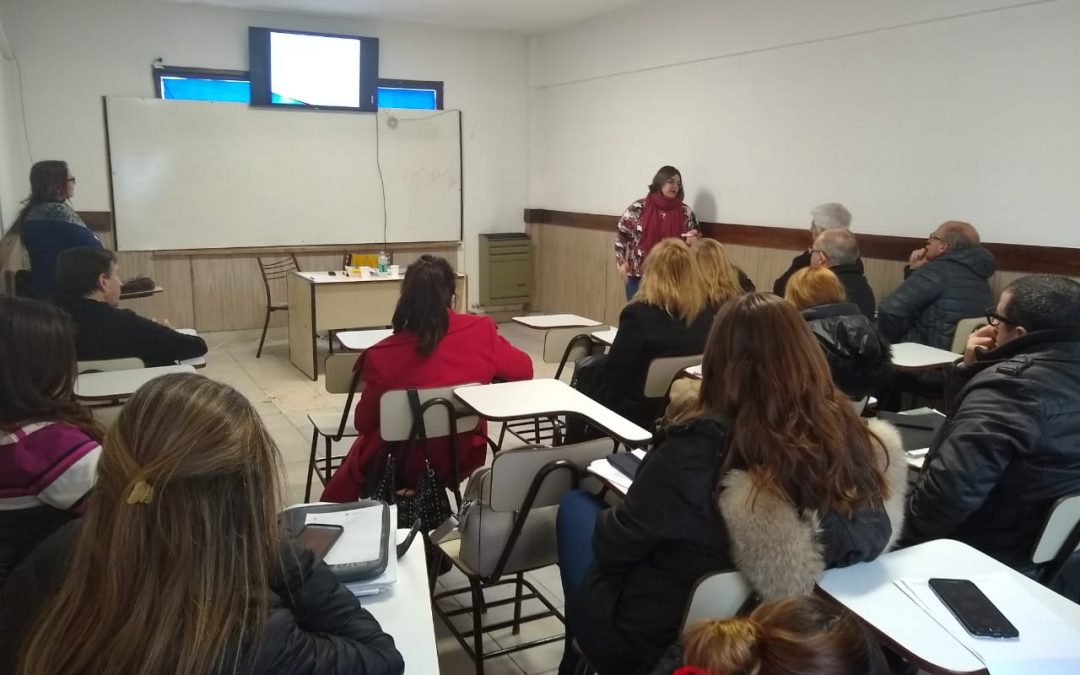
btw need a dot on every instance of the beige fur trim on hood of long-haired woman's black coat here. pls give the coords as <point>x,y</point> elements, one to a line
<point>782,552</point>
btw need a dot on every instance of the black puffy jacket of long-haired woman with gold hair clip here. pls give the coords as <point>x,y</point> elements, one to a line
<point>316,625</point>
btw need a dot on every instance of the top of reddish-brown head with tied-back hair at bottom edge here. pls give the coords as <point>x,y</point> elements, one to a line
<point>801,634</point>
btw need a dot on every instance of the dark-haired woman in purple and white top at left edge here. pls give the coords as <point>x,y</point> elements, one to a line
<point>49,443</point>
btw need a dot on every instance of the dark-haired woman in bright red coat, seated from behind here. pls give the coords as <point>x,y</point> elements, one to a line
<point>433,346</point>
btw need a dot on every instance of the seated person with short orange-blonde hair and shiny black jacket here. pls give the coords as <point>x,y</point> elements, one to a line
<point>859,357</point>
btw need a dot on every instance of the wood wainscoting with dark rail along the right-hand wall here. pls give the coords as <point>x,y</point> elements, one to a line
<point>574,265</point>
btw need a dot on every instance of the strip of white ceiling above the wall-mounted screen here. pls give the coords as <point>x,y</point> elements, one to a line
<point>518,16</point>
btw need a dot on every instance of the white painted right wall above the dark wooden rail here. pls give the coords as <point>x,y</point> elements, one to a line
<point>910,113</point>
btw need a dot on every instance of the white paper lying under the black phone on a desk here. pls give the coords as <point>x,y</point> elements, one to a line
<point>1047,644</point>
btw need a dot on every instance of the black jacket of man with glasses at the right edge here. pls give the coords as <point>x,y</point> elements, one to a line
<point>1010,449</point>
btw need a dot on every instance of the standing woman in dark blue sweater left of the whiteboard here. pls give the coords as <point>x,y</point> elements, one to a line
<point>48,224</point>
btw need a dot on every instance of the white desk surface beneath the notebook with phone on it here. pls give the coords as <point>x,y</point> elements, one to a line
<point>404,612</point>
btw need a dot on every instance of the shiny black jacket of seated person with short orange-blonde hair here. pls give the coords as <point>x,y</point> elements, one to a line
<point>860,359</point>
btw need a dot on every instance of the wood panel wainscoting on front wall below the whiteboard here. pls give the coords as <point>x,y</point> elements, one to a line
<point>222,289</point>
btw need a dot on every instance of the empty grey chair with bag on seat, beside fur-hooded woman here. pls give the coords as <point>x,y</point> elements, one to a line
<point>508,531</point>
